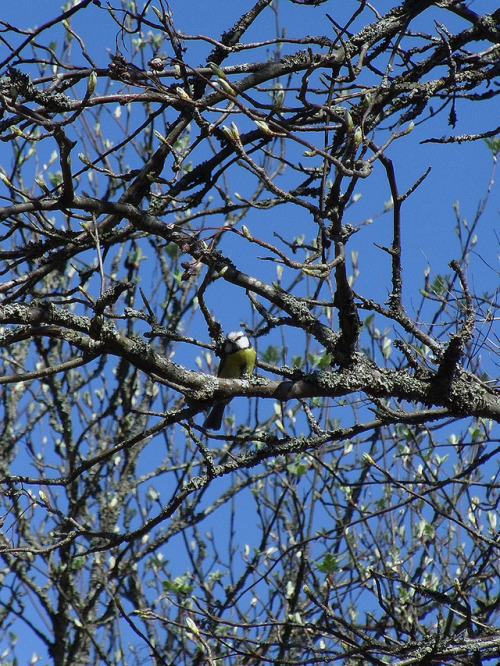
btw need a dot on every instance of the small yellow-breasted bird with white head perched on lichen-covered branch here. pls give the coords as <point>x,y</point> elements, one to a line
<point>237,359</point>
